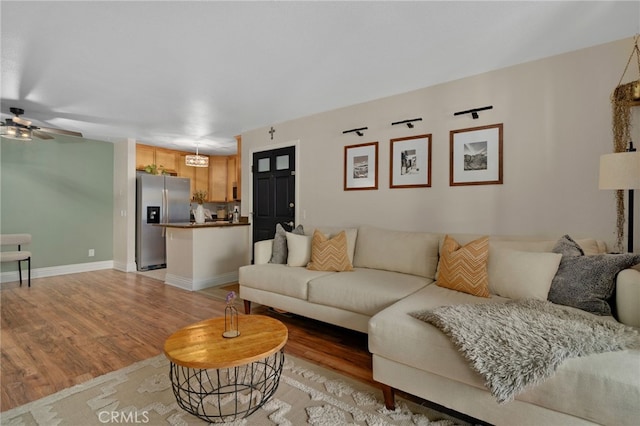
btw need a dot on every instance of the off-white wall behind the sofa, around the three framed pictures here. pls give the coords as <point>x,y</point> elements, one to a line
<point>557,122</point>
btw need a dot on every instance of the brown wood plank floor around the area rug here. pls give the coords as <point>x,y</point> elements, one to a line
<point>68,329</point>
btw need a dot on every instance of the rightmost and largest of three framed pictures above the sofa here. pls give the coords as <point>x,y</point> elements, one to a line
<point>475,156</point>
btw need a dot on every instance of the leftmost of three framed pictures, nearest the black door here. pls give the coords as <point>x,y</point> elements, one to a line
<point>361,166</point>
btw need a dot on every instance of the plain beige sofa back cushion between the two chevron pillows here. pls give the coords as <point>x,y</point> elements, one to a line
<point>414,253</point>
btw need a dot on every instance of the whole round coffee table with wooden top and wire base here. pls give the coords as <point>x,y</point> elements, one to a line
<point>219,379</point>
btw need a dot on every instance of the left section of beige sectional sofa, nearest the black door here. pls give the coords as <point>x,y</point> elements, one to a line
<point>346,299</point>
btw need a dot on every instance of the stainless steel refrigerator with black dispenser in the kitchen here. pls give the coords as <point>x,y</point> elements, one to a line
<point>159,199</point>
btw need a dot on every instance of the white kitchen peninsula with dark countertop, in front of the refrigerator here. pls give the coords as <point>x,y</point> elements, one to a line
<point>206,255</point>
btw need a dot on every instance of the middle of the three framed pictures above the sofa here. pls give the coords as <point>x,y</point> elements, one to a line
<point>410,162</point>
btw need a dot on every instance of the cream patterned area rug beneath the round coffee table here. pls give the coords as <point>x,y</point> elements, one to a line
<point>141,394</point>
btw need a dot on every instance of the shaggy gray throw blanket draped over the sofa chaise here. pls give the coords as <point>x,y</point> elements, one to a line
<point>521,343</point>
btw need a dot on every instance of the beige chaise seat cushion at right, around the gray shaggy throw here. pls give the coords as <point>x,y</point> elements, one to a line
<point>586,387</point>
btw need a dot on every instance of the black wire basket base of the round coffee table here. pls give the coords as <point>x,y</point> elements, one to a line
<point>229,394</point>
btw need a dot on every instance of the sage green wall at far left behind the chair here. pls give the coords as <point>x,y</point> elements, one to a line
<point>61,192</point>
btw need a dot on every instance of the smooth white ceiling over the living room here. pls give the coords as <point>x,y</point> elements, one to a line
<point>185,73</point>
